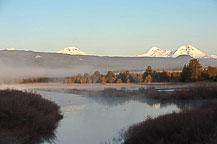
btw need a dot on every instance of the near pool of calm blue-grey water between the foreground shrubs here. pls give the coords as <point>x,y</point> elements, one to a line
<point>94,120</point>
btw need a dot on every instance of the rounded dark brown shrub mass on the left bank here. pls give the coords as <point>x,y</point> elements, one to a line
<point>26,117</point>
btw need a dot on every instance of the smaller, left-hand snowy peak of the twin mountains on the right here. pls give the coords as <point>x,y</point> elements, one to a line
<point>155,52</point>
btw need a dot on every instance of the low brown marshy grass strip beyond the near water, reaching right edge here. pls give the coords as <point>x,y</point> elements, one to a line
<point>193,92</point>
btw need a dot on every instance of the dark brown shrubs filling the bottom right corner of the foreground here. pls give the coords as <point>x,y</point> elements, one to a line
<point>196,126</point>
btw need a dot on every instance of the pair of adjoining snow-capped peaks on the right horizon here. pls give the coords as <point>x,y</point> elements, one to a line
<point>183,50</point>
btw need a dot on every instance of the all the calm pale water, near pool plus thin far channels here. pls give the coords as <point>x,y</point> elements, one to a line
<point>95,119</point>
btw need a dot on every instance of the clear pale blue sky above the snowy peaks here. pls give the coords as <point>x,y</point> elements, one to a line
<point>108,27</point>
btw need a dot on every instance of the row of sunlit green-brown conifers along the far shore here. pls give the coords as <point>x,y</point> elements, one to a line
<point>191,73</point>
